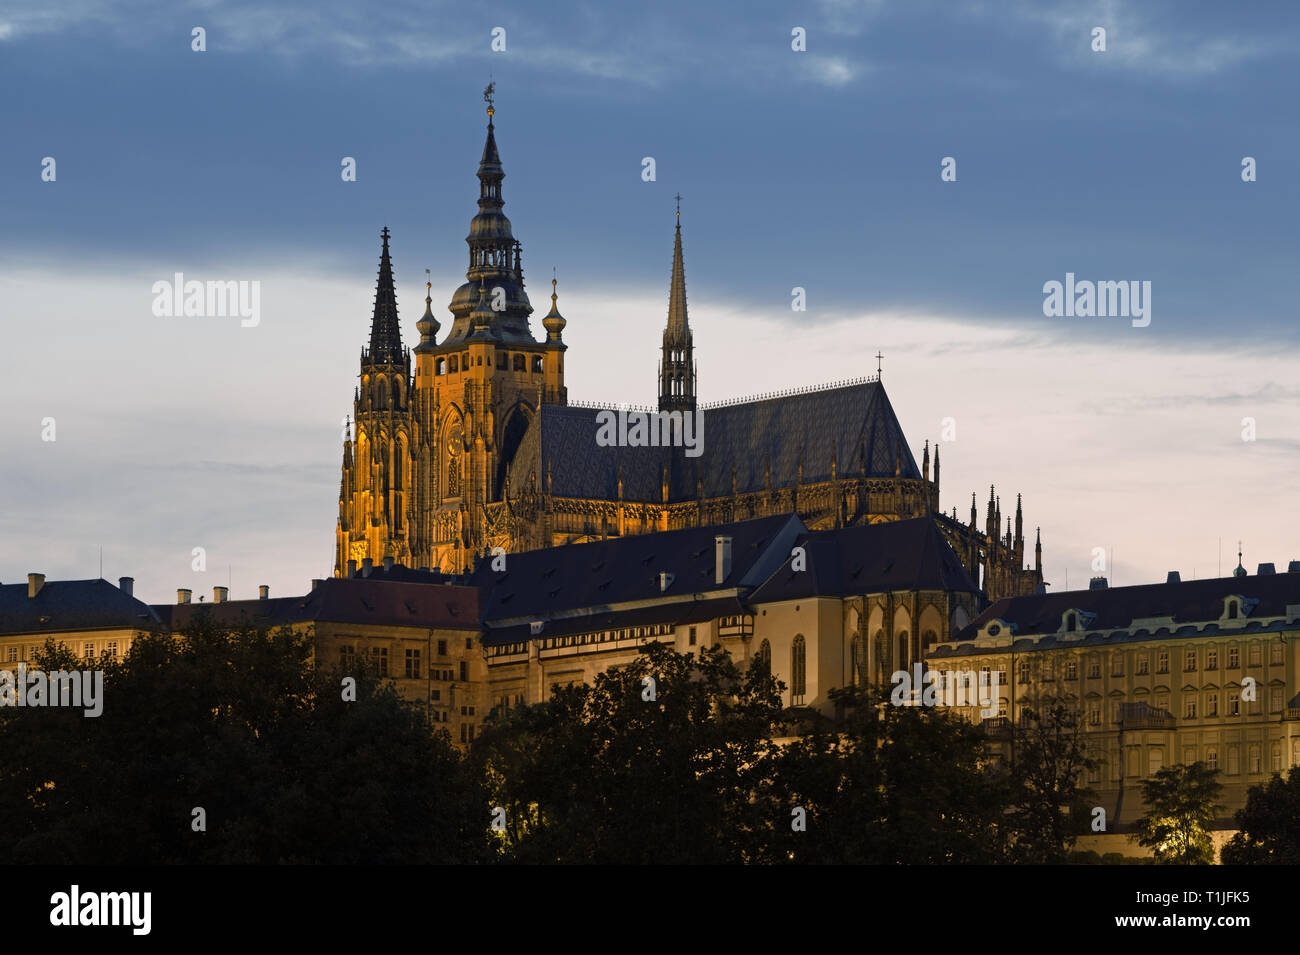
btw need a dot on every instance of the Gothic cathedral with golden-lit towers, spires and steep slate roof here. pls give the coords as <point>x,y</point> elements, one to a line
<point>479,448</point>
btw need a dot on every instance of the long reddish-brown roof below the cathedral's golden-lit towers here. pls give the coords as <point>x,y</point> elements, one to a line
<point>346,601</point>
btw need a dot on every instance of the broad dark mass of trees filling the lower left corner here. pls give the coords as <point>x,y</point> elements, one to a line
<point>240,724</point>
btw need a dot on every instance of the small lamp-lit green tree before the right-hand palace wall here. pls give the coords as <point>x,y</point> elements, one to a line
<point>1181,805</point>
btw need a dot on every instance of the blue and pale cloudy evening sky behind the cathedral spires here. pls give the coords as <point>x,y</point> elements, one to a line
<point>1163,445</point>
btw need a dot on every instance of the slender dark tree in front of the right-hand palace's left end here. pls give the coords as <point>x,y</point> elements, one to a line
<point>1050,805</point>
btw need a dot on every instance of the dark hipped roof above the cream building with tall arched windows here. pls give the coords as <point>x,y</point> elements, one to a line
<point>870,559</point>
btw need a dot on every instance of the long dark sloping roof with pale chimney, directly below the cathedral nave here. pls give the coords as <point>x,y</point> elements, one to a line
<point>539,584</point>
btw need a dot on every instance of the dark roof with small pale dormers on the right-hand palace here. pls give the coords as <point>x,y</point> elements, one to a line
<point>1117,607</point>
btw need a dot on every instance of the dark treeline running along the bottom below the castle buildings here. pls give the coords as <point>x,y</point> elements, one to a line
<point>223,746</point>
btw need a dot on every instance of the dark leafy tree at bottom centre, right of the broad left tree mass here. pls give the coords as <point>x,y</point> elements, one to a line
<point>656,762</point>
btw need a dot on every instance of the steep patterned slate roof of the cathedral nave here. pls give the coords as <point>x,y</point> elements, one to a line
<point>855,424</point>
